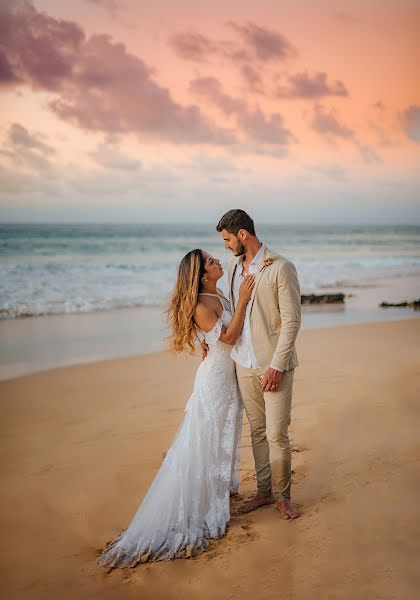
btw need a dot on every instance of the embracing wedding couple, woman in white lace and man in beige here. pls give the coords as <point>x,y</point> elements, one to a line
<point>249,354</point>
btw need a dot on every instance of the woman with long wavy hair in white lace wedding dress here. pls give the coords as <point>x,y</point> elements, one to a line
<point>188,500</point>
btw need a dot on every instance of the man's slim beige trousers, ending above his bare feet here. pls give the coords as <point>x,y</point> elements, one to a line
<point>269,418</point>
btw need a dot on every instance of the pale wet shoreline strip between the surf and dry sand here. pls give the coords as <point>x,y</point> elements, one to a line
<point>30,345</point>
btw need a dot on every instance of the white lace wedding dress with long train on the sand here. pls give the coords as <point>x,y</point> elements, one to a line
<point>189,499</point>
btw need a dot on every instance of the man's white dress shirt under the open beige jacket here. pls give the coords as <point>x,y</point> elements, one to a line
<point>243,351</point>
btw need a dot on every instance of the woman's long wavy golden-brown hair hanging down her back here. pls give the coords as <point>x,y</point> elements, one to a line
<point>183,302</point>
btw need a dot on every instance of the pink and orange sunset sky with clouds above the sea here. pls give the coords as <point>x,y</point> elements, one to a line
<point>298,111</point>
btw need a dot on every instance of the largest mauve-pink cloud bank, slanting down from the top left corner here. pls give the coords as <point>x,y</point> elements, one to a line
<point>99,85</point>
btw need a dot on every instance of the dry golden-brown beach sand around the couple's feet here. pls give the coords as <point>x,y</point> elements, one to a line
<point>81,445</point>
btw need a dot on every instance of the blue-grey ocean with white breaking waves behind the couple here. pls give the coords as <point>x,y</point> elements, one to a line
<point>53,269</point>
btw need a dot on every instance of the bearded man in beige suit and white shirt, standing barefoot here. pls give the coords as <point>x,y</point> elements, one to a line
<point>265,355</point>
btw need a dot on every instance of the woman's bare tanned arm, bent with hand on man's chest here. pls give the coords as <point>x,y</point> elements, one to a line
<point>206,318</point>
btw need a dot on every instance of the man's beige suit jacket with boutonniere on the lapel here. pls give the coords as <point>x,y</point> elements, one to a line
<point>275,313</point>
